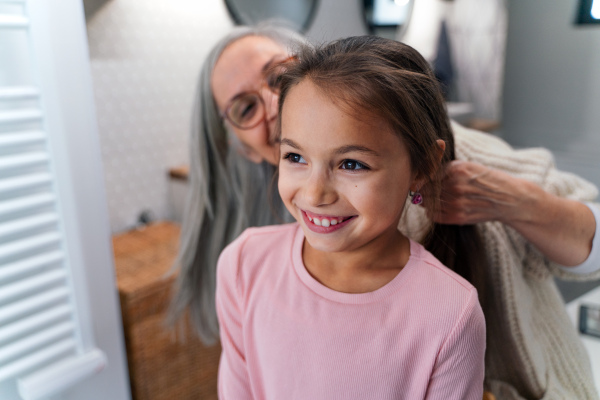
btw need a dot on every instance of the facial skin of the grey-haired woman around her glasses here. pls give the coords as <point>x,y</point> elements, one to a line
<point>239,69</point>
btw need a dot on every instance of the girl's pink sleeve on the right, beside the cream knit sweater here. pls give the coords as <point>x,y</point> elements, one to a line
<point>459,369</point>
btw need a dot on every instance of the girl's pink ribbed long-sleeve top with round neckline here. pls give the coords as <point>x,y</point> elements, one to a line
<point>287,336</point>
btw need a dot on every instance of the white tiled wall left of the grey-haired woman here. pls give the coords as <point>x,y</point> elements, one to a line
<point>145,58</point>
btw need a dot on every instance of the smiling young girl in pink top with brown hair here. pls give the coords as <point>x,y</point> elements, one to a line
<point>341,305</point>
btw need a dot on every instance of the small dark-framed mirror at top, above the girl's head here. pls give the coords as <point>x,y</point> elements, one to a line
<point>387,18</point>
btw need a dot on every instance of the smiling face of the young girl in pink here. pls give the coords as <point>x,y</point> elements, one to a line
<point>345,180</point>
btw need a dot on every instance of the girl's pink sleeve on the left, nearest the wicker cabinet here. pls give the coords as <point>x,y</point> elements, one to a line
<point>233,381</point>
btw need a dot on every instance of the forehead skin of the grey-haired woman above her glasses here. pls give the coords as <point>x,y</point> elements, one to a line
<point>239,68</point>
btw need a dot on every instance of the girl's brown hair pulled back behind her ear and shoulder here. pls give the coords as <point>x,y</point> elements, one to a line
<point>391,81</point>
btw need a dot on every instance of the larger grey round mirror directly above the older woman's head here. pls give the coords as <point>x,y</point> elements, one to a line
<point>299,13</point>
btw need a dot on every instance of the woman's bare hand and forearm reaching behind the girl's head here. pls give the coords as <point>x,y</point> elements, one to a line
<point>561,229</point>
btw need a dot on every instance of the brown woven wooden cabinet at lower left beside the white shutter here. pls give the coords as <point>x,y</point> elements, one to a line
<point>160,366</point>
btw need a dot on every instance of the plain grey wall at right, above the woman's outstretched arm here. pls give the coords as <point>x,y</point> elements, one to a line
<point>552,84</point>
